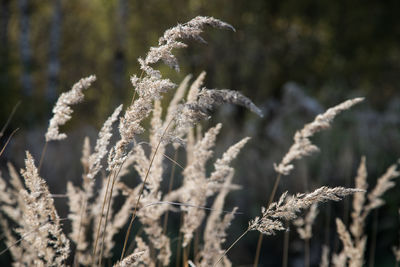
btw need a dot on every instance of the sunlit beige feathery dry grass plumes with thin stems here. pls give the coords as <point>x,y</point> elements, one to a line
<point>33,231</point>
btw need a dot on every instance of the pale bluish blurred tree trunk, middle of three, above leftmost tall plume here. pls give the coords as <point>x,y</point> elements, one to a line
<point>54,49</point>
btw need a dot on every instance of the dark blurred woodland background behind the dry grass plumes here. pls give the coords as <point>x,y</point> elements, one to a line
<point>293,58</point>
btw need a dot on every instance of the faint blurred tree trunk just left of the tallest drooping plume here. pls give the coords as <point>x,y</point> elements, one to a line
<point>120,50</point>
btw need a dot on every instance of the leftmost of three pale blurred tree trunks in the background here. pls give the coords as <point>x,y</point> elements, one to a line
<point>25,47</point>
